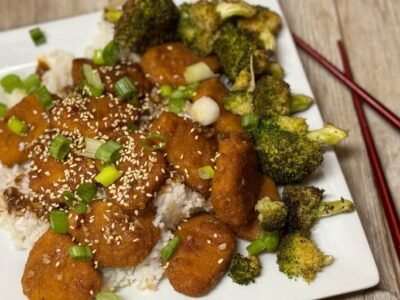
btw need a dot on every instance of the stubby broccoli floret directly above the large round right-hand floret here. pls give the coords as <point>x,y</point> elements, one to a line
<point>271,97</point>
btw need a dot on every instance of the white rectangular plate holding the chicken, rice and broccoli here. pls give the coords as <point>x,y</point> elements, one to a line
<point>342,236</point>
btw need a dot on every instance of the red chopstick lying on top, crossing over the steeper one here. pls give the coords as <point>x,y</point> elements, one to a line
<point>364,95</point>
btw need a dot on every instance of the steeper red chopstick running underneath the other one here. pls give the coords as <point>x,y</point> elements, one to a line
<point>380,180</point>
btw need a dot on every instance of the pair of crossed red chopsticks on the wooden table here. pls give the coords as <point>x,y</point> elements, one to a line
<point>359,95</point>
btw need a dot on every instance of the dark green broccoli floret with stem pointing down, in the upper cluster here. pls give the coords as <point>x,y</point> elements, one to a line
<point>237,53</point>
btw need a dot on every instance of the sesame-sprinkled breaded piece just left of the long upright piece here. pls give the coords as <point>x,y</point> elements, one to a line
<point>189,148</point>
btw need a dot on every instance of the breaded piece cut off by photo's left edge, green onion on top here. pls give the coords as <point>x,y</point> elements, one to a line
<point>13,147</point>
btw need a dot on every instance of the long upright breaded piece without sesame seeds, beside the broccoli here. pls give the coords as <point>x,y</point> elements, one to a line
<point>236,181</point>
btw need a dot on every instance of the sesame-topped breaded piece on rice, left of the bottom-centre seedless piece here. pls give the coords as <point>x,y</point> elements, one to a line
<point>117,238</point>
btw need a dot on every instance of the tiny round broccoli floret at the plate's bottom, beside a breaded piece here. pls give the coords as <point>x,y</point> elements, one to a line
<point>244,270</point>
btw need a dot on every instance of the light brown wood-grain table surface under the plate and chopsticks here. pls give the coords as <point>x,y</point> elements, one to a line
<point>371,32</point>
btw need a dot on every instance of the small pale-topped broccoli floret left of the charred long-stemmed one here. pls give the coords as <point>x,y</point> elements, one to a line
<point>271,214</point>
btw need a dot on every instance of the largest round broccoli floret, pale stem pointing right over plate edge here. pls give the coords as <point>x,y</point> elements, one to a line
<point>286,152</point>
